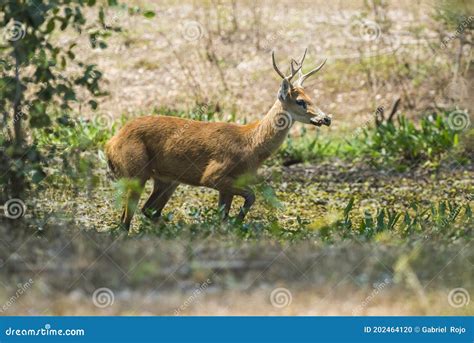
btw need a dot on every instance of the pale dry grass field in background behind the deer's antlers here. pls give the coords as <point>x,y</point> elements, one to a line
<point>216,53</point>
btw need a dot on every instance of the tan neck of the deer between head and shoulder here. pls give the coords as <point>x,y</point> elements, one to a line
<point>271,131</point>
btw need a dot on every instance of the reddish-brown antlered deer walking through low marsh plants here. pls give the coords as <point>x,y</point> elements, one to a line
<point>173,150</point>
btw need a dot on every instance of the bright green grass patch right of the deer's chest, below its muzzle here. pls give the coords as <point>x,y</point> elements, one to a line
<point>397,145</point>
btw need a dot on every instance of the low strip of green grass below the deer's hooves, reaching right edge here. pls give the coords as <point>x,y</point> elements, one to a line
<point>443,221</point>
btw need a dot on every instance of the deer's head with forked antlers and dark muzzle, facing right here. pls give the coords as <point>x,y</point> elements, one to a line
<point>293,98</point>
